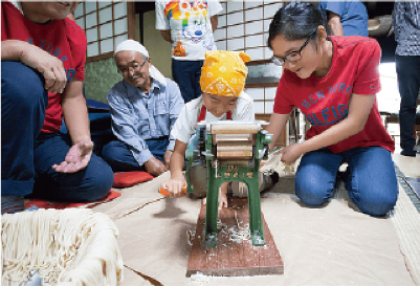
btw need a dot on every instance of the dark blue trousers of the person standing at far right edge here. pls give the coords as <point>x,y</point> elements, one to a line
<point>408,70</point>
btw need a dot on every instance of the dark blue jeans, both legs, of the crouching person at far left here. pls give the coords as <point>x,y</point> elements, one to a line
<point>27,154</point>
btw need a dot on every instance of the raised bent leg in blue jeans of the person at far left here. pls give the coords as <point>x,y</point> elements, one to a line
<point>22,117</point>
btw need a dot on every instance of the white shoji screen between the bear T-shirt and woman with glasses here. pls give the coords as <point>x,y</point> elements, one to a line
<point>243,26</point>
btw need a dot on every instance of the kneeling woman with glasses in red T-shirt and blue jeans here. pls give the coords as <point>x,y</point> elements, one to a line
<point>333,80</point>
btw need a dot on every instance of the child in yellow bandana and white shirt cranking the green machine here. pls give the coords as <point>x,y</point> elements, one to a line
<point>222,81</point>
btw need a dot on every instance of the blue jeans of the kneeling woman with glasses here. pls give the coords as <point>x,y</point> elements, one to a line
<point>371,182</point>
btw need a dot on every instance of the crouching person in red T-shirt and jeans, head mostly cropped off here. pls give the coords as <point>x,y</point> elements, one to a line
<point>42,64</point>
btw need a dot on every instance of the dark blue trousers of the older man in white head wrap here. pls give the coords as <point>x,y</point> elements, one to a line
<point>119,157</point>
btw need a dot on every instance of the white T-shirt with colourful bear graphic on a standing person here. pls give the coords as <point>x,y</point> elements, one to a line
<point>189,22</point>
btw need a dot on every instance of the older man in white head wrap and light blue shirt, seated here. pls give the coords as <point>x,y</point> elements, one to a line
<point>144,106</point>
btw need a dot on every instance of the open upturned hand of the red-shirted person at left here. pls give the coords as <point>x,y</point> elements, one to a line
<point>76,159</point>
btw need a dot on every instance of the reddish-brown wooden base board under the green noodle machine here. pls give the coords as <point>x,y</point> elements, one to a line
<point>238,257</point>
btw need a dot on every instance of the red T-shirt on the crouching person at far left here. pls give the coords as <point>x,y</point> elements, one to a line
<point>61,38</point>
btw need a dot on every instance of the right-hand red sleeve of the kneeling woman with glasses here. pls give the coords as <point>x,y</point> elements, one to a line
<point>367,78</point>
